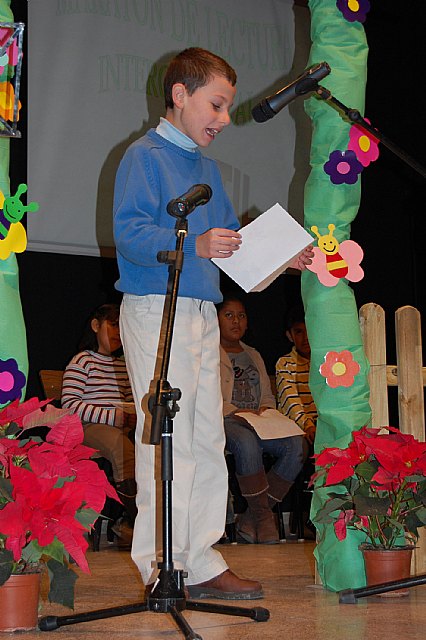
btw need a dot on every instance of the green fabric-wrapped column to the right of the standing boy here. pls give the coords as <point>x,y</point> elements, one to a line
<point>331,312</point>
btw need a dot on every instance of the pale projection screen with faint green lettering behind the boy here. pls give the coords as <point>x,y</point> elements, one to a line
<point>95,70</point>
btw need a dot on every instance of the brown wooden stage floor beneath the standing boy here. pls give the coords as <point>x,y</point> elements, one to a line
<point>299,610</point>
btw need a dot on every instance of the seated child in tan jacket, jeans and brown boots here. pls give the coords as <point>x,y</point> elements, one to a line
<point>246,389</point>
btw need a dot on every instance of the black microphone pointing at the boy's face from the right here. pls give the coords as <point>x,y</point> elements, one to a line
<point>307,81</point>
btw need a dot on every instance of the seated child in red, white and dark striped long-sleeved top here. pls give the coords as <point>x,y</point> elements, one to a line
<point>95,383</point>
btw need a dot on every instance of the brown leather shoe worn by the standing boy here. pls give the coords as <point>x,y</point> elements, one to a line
<point>226,586</point>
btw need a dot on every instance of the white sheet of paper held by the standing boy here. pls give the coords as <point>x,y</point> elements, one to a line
<point>269,244</point>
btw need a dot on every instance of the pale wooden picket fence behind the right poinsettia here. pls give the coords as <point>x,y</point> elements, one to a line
<point>408,375</point>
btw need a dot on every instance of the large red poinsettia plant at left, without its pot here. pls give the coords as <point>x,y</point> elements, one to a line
<point>51,493</point>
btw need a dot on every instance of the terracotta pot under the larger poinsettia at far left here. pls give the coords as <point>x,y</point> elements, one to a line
<point>19,599</point>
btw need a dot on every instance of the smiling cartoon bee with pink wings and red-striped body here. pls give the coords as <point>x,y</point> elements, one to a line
<point>333,261</point>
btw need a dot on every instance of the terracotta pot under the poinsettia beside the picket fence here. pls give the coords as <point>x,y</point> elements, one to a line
<point>387,565</point>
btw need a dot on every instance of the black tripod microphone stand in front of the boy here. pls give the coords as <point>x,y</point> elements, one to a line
<point>168,595</point>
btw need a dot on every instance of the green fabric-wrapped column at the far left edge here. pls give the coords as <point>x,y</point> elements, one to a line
<point>13,341</point>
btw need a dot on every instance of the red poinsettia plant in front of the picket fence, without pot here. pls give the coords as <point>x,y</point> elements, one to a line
<point>381,481</point>
